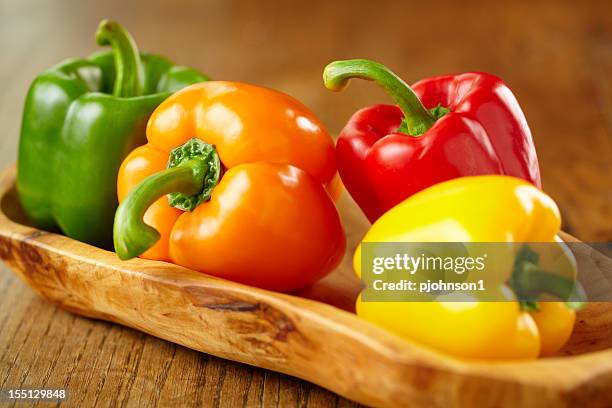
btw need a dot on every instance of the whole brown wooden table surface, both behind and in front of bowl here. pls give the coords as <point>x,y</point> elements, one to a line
<point>556,56</point>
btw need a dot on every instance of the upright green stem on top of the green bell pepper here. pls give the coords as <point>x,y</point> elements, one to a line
<point>128,66</point>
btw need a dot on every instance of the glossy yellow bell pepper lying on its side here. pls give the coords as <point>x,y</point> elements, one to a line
<point>497,209</point>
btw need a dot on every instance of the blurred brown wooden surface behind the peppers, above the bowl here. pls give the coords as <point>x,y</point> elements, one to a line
<point>556,56</point>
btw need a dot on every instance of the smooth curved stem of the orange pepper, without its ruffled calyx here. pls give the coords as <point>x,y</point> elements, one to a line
<point>131,235</point>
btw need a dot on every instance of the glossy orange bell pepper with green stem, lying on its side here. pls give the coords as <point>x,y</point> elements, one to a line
<point>245,169</point>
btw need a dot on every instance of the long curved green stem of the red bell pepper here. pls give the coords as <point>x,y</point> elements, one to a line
<point>417,119</point>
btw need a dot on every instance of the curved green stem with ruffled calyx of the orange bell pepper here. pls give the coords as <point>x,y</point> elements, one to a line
<point>193,171</point>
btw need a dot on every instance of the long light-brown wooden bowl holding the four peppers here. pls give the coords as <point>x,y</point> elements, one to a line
<point>311,334</point>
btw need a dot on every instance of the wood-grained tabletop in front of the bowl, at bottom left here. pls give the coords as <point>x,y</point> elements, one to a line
<point>110,365</point>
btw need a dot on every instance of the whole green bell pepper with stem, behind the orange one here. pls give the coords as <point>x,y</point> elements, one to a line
<point>81,118</point>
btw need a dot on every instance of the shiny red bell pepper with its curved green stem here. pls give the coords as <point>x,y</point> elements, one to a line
<point>442,128</point>
